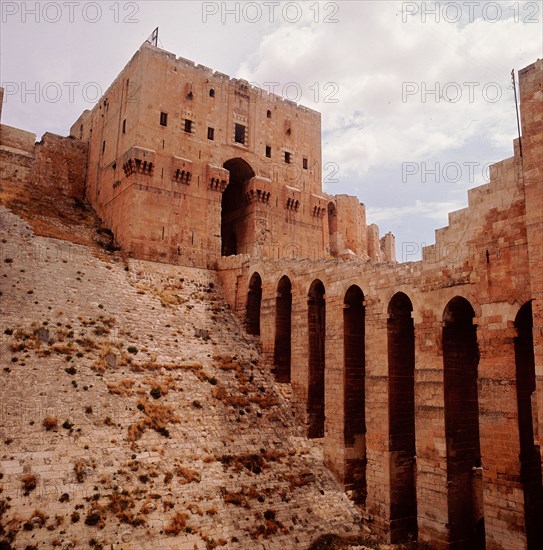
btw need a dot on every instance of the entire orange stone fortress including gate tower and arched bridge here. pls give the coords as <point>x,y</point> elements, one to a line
<point>423,379</point>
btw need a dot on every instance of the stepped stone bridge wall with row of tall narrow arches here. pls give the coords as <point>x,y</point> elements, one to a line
<point>475,366</point>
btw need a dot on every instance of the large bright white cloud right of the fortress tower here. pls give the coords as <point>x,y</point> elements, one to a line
<point>458,71</point>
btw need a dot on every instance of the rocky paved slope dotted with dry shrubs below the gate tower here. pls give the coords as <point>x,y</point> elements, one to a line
<point>135,412</point>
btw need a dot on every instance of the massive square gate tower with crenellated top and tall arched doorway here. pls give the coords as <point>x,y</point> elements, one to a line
<point>228,169</point>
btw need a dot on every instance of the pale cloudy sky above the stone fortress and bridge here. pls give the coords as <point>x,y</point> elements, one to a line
<point>416,97</point>
